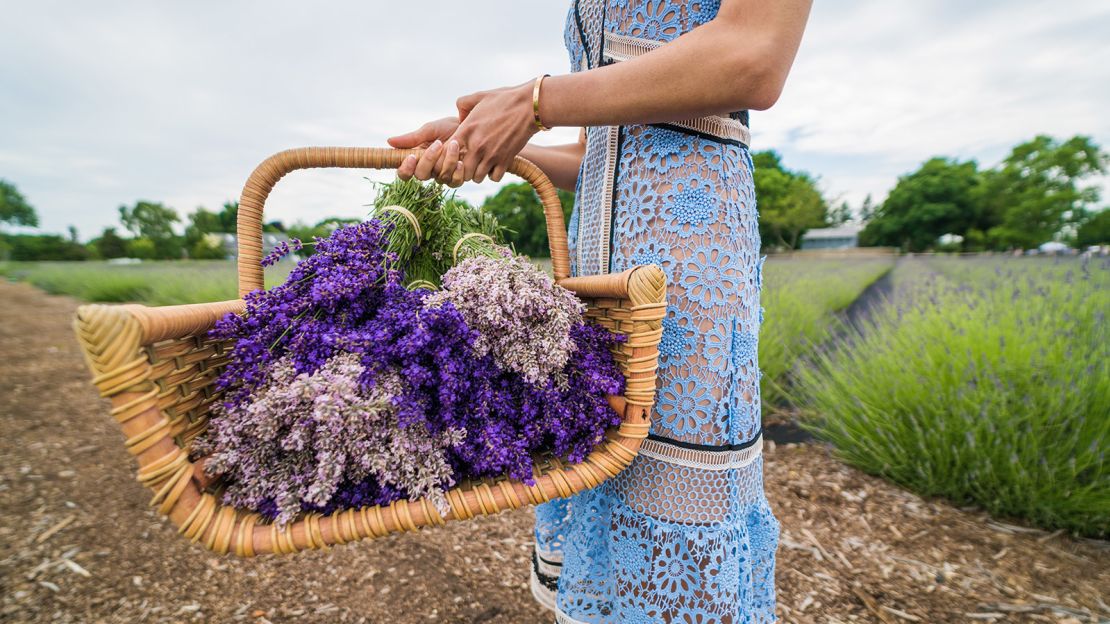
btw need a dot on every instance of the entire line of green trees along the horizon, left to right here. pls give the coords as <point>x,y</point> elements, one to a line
<point>1042,192</point>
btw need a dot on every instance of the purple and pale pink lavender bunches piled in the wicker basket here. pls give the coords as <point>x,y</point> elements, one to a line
<point>349,386</point>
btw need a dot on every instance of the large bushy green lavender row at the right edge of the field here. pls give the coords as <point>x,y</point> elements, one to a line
<point>986,381</point>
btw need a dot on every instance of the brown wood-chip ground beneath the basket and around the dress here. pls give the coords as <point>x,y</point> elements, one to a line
<point>78,542</point>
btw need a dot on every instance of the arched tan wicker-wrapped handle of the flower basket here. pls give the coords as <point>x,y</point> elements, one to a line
<point>264,179</point>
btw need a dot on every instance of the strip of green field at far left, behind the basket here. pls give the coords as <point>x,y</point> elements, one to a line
<point>154,284</point>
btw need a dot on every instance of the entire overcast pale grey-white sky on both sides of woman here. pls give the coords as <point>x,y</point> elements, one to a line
<point>104,104</point>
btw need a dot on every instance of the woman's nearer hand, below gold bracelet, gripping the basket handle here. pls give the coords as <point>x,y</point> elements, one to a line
<point>495,128</point>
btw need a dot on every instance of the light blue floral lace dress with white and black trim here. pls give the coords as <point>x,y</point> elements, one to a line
<point>685,535</point>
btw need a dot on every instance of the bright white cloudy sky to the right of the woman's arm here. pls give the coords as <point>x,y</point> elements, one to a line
<point>880,87</point>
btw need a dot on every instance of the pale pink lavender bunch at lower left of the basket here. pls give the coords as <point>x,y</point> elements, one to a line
<point>299,437</point>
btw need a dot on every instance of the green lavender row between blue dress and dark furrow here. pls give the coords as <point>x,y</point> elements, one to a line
<point>802,298</point>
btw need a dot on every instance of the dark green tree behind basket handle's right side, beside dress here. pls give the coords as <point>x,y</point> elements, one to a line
<point>518,208</point>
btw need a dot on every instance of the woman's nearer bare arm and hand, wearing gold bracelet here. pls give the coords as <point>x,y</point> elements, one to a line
<point>736,62</point>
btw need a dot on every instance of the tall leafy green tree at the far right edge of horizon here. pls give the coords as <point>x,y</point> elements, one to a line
<point>1038,190</point>
